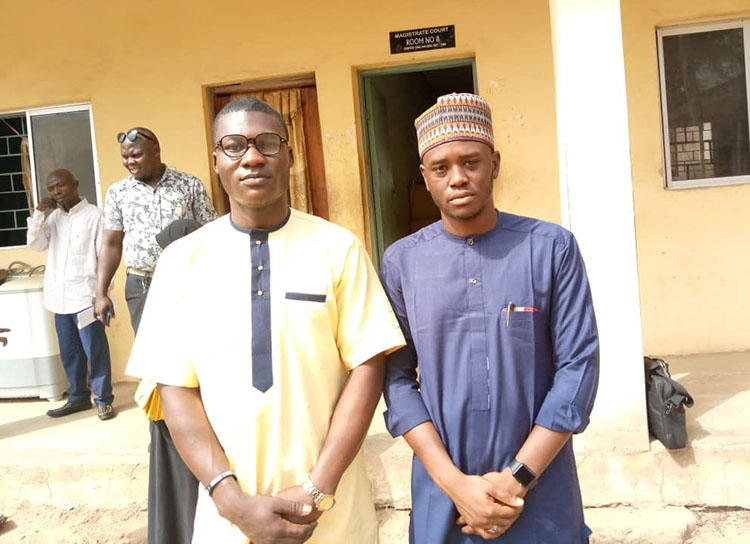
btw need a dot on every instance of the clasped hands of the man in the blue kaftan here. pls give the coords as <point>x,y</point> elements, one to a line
<point>489,504</point>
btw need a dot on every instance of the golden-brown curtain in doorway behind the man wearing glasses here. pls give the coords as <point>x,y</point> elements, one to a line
<point>288,102</point>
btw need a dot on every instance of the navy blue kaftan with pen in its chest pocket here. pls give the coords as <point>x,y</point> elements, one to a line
<point>485,379</point>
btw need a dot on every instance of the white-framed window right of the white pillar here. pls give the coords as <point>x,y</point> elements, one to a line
<point>703,75</point>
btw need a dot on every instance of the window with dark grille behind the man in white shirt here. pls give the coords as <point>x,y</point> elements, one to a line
<point>32,144</point>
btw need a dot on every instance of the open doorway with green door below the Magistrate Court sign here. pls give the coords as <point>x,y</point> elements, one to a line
<point>391,100</point>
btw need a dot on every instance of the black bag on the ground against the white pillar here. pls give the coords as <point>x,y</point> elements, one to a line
<point>665,401</point>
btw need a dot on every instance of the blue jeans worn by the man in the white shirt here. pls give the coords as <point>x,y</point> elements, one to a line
<point>78,346</point>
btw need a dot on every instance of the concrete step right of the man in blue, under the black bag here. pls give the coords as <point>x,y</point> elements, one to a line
<point>714,470</point>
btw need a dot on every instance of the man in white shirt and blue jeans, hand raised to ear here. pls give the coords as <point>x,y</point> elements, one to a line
<point>71,229</point>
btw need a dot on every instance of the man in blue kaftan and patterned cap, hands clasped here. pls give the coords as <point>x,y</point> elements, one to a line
<point>497,314</point>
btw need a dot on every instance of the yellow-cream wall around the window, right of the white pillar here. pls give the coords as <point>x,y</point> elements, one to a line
<point>693,256</point>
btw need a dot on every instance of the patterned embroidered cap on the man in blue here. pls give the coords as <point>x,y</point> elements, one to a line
<point>456,116</point>
